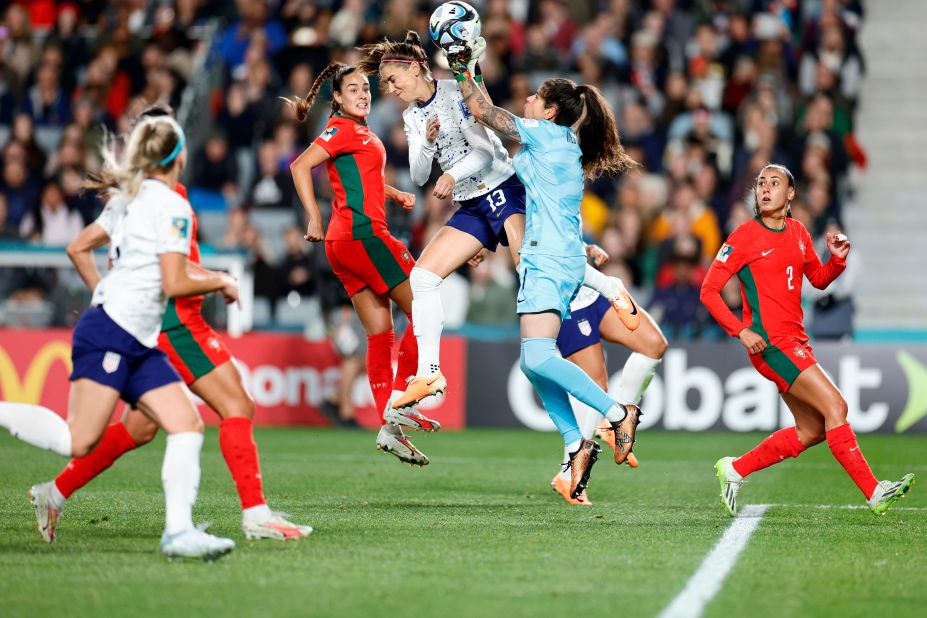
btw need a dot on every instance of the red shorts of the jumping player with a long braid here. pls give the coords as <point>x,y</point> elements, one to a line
<point>379,263</point>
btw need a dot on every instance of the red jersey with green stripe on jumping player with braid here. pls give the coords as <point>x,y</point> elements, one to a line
<point>356,173</point>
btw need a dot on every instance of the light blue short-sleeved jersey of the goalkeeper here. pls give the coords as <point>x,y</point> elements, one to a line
<point>549,164</point>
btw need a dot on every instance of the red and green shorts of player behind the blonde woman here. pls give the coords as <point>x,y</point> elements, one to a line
<point>193,348</point>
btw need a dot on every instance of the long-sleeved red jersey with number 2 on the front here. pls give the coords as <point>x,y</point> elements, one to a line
<point>770,265</point>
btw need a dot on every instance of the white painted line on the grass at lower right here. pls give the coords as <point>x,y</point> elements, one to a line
<point>706,581</point>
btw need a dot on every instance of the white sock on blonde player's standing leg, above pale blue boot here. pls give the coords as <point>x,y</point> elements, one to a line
<point>180,475</point>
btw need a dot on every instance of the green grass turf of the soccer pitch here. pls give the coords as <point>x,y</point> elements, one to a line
<point>478,532</point>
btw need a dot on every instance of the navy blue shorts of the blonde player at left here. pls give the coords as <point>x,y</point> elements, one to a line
<point>104,352</point>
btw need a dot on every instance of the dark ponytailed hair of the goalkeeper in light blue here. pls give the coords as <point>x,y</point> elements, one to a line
<point>597,132</point>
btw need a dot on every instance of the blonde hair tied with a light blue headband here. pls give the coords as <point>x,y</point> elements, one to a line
<point>153,147</point>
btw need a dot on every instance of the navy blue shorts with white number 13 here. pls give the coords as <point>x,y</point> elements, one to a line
<point>484,217</point>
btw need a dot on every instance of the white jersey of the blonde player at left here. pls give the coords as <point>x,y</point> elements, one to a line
<point>157,221</point>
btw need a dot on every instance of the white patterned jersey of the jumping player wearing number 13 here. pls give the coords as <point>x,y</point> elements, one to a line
<point>472,154</point>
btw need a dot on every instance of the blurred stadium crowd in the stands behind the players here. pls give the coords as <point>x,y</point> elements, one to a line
<point>705,92</point>
